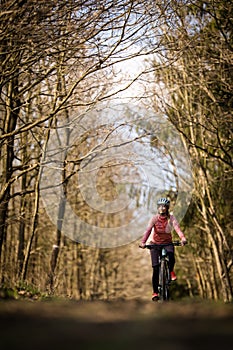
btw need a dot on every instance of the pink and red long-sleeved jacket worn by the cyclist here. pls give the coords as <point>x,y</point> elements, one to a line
<point>162,226</point>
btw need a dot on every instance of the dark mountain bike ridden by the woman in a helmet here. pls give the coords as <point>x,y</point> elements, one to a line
<point>164,273</point>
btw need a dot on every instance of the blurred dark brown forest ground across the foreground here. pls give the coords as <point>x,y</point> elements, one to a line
<point>113,325</point>
